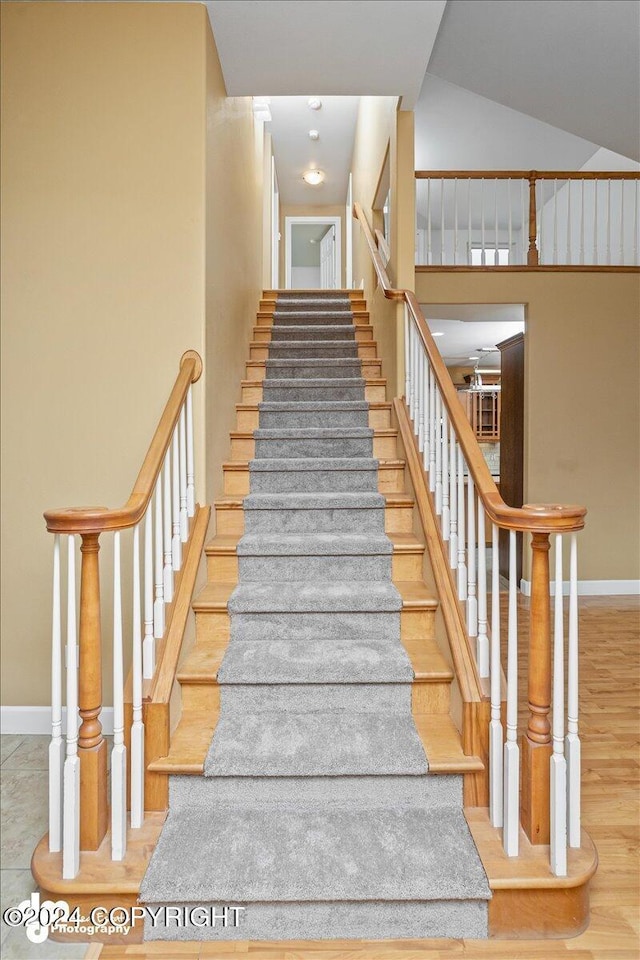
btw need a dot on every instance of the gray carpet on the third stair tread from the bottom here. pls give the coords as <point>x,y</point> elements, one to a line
<point>324,660</point>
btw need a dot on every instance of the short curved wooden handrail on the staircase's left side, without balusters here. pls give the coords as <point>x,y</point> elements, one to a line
<point>84,520</point>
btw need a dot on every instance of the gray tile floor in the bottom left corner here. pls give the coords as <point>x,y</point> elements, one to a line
<point>23,819</point>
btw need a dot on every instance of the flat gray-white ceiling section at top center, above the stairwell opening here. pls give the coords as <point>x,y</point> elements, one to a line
<point>326,47</point>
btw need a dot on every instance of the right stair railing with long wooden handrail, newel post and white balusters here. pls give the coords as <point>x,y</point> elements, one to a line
<point>468,505</point>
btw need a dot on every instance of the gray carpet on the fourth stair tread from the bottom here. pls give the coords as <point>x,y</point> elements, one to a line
<point>313,597</point>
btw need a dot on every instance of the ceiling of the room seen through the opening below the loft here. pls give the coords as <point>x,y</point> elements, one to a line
<point>467,328</point>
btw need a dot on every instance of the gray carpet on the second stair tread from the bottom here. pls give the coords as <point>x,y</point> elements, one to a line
<point>315,745</point>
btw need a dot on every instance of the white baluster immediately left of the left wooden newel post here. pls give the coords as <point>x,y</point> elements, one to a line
<point>71,774</point>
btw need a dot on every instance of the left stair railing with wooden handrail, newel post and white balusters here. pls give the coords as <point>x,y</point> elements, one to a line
<point>159,513</point>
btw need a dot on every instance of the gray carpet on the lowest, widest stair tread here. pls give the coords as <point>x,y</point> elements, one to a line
<point>245,855</point>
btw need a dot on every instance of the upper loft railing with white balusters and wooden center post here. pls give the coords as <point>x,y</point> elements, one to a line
<point>527,218</point>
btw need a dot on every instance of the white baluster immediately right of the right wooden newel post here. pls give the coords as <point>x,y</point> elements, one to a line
<point>558,773</point>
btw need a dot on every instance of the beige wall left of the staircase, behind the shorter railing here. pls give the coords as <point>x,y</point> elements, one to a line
<point>106,279</point>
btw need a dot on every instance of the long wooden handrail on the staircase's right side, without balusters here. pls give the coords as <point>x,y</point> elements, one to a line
<point>531,518</point>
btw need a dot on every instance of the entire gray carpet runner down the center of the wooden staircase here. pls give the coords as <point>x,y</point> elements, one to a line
<point>316,812</point>
